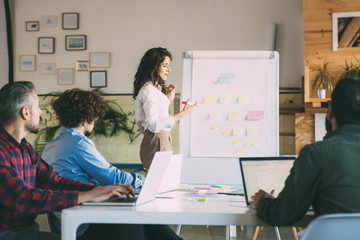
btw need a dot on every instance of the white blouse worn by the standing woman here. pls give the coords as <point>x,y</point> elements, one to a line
<point>152,110</point>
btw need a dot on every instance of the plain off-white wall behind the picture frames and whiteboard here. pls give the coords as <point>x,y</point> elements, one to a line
<point>128,28</point>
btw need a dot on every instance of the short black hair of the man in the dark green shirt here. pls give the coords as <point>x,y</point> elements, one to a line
<point>345,101</point>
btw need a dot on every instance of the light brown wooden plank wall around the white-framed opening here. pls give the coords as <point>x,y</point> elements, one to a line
<point>318,36</point>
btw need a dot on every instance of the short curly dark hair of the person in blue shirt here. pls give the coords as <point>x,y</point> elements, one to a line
<point>75,106</point>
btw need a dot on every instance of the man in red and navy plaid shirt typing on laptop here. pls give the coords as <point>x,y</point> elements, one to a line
<point>28,185</point>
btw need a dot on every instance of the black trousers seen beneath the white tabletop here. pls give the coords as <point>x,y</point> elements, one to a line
<point>129,232</point>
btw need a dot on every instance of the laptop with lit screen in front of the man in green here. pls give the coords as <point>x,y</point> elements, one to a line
<point>266,173</point>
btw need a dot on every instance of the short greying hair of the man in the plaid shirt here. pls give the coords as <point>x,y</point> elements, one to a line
<point>13,97</point>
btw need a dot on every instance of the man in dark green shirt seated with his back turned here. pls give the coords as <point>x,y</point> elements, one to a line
<point>326,173</point>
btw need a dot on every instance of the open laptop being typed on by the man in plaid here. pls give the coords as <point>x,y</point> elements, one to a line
<point>150,188</point>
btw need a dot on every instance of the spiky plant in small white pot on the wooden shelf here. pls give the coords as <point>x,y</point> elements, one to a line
<point>324,79</point>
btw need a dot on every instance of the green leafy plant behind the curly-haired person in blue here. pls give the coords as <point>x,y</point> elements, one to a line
<point>115,122</point>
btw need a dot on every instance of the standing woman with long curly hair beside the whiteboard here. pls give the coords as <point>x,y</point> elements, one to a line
<point>153,98</point>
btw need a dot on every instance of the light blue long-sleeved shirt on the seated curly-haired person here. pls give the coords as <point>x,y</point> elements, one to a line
<point>75,156</point>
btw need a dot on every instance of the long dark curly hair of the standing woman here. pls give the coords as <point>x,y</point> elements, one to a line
<point>148,69</point>
